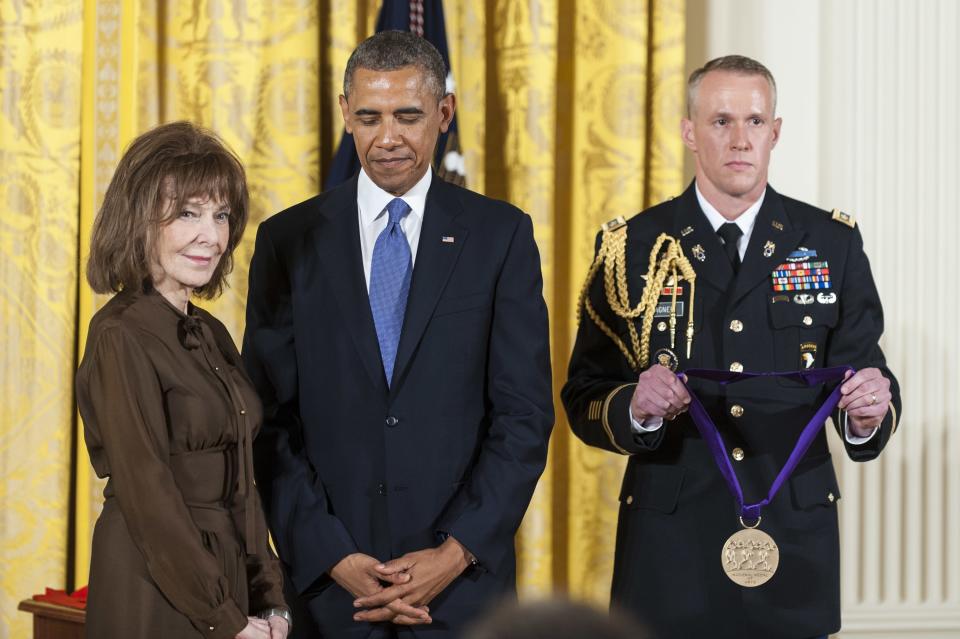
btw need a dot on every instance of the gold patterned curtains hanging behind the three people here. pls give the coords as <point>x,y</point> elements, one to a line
<point>568,109</point>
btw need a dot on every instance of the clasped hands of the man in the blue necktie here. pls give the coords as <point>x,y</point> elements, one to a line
<point>400,590</point>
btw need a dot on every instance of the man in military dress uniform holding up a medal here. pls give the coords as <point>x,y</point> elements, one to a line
<point>765,283</point>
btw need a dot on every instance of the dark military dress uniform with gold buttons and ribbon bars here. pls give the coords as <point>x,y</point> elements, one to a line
<point>675,509</point>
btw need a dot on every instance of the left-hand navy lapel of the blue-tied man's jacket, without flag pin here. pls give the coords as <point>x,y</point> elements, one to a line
<point>337,242</point>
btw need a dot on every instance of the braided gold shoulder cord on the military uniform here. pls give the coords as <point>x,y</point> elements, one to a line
<point>667,267</point>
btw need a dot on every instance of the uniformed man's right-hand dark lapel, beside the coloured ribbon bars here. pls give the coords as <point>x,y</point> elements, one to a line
<point>773,233</point>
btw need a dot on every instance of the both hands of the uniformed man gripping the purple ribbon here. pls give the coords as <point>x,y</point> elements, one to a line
<point>864,395</point>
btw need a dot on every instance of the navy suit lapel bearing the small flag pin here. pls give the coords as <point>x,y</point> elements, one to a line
<point>434,264</point>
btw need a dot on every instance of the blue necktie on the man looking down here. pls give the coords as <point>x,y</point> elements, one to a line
<point>390,273</point>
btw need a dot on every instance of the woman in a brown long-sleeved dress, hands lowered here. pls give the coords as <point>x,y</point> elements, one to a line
<point>181,547</point>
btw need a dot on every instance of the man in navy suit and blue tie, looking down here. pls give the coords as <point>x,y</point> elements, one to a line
<point>397,333</point>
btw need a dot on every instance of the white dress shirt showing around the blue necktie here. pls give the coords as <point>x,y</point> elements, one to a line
<point>372,205</point>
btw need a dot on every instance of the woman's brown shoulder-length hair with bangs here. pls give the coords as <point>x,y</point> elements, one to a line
<point>171,163</point>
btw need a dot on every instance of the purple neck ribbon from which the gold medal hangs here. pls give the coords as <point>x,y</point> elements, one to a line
<point>708,430</point>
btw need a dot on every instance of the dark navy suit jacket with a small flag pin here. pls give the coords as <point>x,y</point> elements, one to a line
<point>454,445</point>
